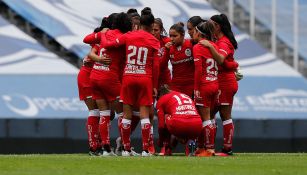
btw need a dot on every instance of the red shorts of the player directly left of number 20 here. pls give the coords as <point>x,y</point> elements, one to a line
<point>107,89</point>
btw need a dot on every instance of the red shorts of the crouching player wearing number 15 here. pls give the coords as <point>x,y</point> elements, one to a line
<point>184,127</point>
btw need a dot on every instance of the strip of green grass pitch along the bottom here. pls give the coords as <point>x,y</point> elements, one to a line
<point>75,164</point>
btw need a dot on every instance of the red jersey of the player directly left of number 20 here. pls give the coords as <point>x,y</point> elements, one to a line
<point>115,68</point>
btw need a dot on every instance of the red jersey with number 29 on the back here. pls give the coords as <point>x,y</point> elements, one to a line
<point>206,69</point>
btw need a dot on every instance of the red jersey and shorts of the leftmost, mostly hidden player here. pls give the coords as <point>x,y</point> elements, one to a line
<point>84,85</point>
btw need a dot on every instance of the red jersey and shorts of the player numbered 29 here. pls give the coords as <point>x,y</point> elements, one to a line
<point>206,72</point>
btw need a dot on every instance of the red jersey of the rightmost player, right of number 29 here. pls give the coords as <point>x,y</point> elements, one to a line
<point>227,50</point>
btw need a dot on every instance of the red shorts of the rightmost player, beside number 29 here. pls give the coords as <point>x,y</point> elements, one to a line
<point>227,92</point>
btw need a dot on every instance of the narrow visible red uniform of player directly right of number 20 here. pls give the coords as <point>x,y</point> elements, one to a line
<point>165,74</point>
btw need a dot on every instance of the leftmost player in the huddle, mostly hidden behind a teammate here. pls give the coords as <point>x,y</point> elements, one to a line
<point>86,94</point>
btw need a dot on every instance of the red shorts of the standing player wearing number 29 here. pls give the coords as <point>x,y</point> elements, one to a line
<point>208,94</point>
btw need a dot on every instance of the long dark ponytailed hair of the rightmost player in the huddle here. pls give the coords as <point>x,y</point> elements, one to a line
<point>224,23</point>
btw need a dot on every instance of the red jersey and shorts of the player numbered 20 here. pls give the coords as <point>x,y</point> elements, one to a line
<point>142,66</point>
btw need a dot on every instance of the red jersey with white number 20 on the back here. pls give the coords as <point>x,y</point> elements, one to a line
<point>142,54</point>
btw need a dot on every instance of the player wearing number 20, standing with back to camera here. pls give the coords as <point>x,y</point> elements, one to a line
<point>140,79</point>
